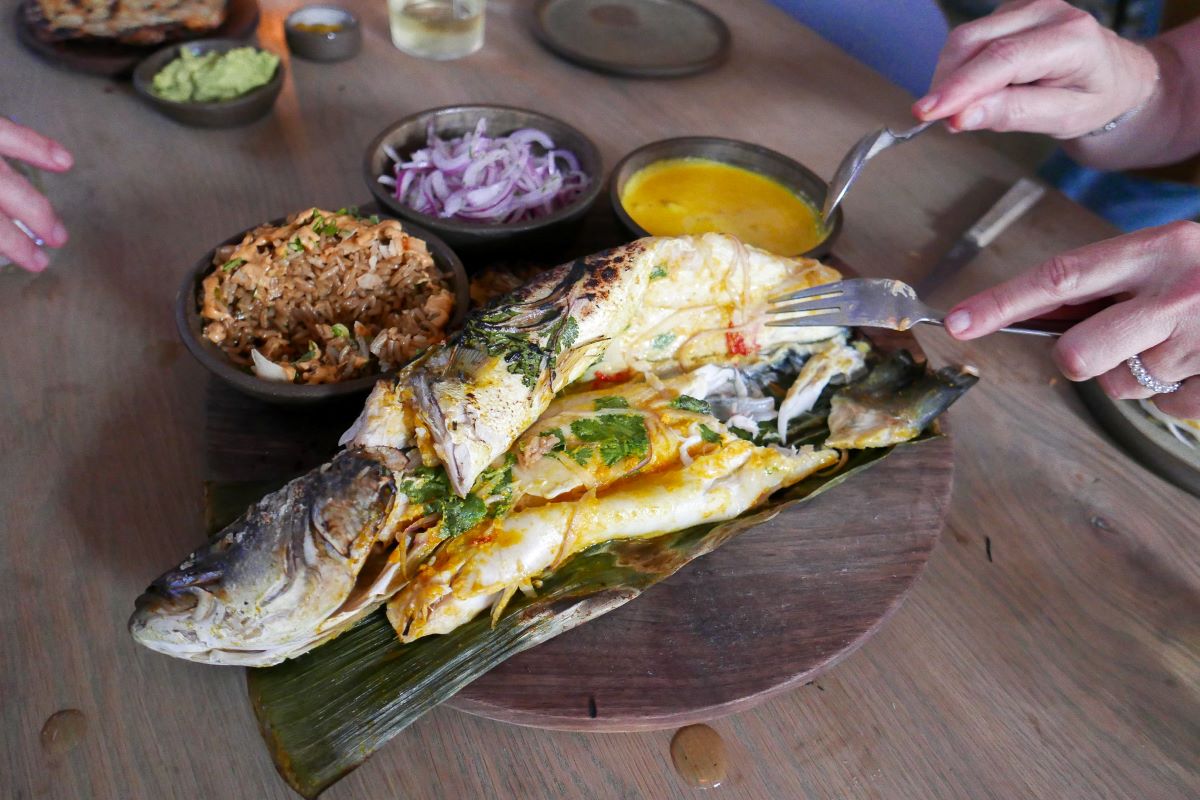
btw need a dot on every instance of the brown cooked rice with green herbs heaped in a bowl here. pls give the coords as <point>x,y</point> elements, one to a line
<point>325,298</point>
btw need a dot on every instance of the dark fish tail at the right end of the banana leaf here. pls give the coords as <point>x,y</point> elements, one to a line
<point>895,402</point>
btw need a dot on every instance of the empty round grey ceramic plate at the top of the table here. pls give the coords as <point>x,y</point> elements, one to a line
<point>640,39</point>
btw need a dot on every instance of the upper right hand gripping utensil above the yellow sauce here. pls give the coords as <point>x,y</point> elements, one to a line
<point>1041,67</point>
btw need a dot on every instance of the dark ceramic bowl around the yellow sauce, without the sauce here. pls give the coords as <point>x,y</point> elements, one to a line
<point>776,166</point>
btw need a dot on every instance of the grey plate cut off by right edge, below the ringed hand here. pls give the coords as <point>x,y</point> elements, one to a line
<point>1144,438</point>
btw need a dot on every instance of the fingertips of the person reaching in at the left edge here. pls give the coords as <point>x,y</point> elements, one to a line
<point>21,201</point>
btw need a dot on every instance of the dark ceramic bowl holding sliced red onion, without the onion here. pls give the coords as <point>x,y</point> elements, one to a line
<point>411,134</point>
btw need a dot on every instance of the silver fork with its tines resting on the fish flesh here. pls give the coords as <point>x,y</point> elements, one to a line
<point>879,303</point>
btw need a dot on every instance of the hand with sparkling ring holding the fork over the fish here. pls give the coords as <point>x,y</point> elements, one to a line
<point>1154,274</point>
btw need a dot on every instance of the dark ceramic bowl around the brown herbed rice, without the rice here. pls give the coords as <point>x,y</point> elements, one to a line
<point>190,324</point>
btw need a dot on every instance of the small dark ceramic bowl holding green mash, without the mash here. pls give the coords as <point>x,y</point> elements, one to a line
<point>220,115</point>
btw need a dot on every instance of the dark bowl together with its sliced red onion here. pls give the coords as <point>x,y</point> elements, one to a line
<point>487,176</point>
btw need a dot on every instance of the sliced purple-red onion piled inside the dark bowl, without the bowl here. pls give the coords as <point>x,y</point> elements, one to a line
<point>481,179</point>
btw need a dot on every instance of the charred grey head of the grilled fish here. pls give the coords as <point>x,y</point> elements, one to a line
<point>262,591</point>
